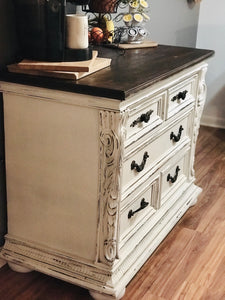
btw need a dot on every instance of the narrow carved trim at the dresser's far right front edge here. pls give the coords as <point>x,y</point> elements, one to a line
<point>200,101</point>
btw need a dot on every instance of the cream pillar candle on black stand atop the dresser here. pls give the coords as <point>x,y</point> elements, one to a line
<point>76,31</point>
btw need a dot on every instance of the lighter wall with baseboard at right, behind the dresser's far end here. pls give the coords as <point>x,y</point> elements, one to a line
<point>211,35</point>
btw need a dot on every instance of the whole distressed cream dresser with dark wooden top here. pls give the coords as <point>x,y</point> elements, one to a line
<point>99,172</point>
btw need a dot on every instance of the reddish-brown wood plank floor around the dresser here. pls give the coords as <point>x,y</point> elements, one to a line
<point>188,265</point>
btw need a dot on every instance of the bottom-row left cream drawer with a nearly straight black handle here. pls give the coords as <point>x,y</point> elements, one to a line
<point>138,206</point>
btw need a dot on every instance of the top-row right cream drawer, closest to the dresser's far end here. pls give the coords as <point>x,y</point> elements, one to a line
<point>181,95</point>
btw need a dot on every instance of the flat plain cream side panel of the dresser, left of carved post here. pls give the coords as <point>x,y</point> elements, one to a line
<point>52,173</point>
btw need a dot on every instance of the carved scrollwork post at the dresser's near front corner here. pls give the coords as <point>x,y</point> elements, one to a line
<point>109,186</point>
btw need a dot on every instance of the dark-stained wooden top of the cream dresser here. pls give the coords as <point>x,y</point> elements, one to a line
<point>130,71</point>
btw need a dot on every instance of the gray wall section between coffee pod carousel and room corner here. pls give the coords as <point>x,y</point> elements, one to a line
<point>173,22</point>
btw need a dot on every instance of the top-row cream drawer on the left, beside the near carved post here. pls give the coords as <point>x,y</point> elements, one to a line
<point>144,117</point>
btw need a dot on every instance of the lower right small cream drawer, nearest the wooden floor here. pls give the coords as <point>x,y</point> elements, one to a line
<point>174,175</point>
